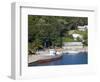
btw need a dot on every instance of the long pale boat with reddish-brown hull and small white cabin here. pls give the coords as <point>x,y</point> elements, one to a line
<point>51,56</point>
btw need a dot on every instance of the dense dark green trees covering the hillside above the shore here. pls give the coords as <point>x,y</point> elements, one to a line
<point>51,31</point>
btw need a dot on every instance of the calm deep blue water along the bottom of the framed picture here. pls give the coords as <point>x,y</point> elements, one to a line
<point>67,59</point>
